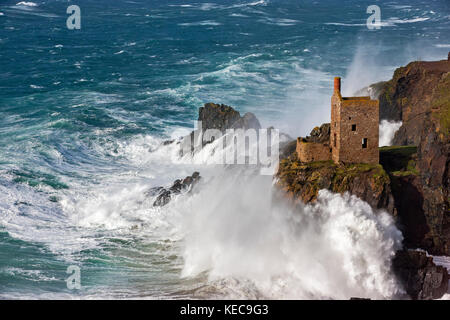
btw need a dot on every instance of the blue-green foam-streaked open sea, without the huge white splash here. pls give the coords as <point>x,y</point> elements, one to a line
<point>81,111</point>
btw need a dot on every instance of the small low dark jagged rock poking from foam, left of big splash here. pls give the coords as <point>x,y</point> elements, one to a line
<point>163,196</point>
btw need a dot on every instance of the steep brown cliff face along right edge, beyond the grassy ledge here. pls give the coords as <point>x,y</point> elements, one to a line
<point>419,96</point>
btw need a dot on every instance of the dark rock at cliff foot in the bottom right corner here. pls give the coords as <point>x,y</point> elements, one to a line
<point>421,278</point>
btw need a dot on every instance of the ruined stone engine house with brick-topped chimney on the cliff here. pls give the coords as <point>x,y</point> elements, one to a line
<point>353,132</point>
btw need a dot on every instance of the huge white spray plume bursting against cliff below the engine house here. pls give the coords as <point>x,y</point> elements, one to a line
<point>336,248</point>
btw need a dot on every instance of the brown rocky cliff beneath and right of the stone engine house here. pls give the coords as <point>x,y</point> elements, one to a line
<point>412,181</point>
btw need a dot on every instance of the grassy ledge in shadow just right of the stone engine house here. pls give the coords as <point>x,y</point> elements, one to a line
<point>399,160</point>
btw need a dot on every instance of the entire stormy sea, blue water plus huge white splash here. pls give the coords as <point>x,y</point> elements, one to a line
<point>84,114</point>
